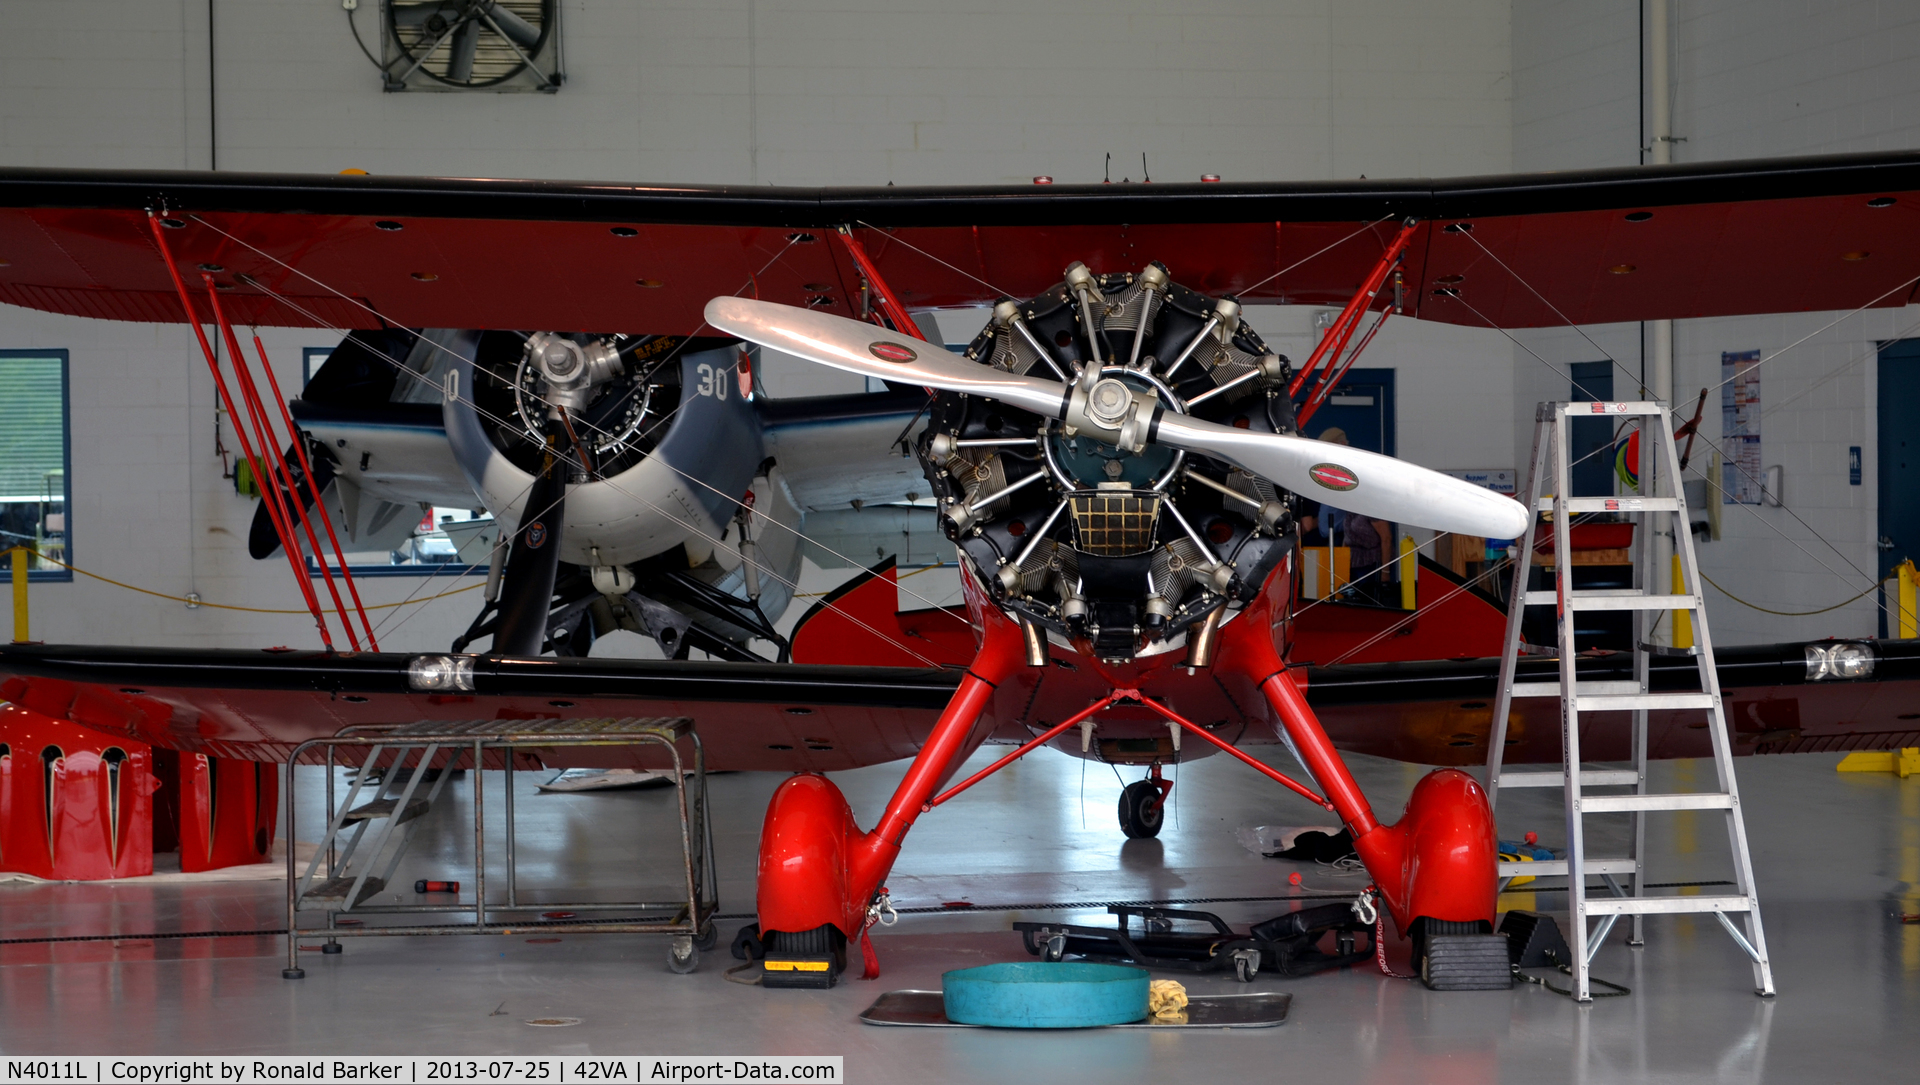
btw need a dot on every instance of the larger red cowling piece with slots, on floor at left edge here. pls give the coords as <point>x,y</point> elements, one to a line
<point>74,804</point>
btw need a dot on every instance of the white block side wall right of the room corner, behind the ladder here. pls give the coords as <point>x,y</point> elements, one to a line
<point>1752,80</point>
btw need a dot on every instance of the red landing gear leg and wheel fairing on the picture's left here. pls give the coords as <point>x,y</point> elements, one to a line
<point>819,873</point>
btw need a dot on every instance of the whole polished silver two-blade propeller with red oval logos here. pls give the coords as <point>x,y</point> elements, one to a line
<point>1349,479</point>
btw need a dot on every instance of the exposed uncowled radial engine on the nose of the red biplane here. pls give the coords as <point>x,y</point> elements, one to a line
<point>1116,548</point>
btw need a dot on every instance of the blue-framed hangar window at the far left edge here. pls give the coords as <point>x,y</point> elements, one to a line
<point>34,462</point>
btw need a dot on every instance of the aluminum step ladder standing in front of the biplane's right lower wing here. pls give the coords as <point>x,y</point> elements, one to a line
<point>1658,510</point>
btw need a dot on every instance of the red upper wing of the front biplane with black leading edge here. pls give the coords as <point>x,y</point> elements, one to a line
<point>1620,245</point>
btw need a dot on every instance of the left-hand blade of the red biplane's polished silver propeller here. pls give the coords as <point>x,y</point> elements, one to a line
<point>876,352</point>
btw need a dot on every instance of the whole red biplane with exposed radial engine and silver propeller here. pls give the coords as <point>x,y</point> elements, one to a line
<point>1116,458</point>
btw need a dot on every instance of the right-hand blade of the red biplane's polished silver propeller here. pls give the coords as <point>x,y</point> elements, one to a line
<point>1353,481</point>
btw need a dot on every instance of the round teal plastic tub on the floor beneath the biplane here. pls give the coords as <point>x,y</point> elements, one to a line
<point>1045,996</point>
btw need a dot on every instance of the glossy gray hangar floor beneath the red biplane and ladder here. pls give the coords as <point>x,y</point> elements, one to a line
<point>1838,857</point>
